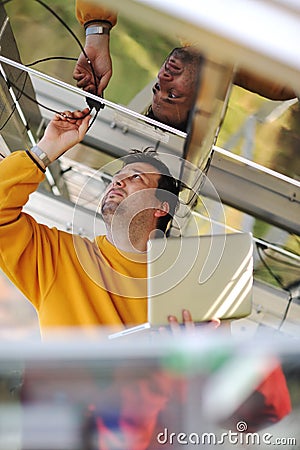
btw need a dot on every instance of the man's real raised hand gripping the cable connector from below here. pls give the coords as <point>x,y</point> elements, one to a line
<point>64,131</point>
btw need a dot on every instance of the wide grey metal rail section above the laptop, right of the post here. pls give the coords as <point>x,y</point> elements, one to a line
<point>256,190</point>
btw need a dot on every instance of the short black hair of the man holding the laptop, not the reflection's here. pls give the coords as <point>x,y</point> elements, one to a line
<point>168,187</point>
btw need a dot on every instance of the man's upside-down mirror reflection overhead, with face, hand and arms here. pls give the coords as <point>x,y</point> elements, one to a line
<point>174,90</point>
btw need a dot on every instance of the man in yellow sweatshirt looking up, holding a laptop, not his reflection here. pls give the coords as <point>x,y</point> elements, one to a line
<point>70,280</point>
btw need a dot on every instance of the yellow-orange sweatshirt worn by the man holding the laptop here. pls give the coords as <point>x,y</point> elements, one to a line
<point>70,280</point>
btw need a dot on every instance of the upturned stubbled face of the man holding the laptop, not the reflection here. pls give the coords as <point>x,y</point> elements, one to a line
<point>135,179</point>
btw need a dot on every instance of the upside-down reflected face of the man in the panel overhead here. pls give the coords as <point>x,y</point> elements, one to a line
<point>174,92</point>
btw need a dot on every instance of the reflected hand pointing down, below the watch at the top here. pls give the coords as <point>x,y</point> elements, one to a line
<point>97,50</point>
